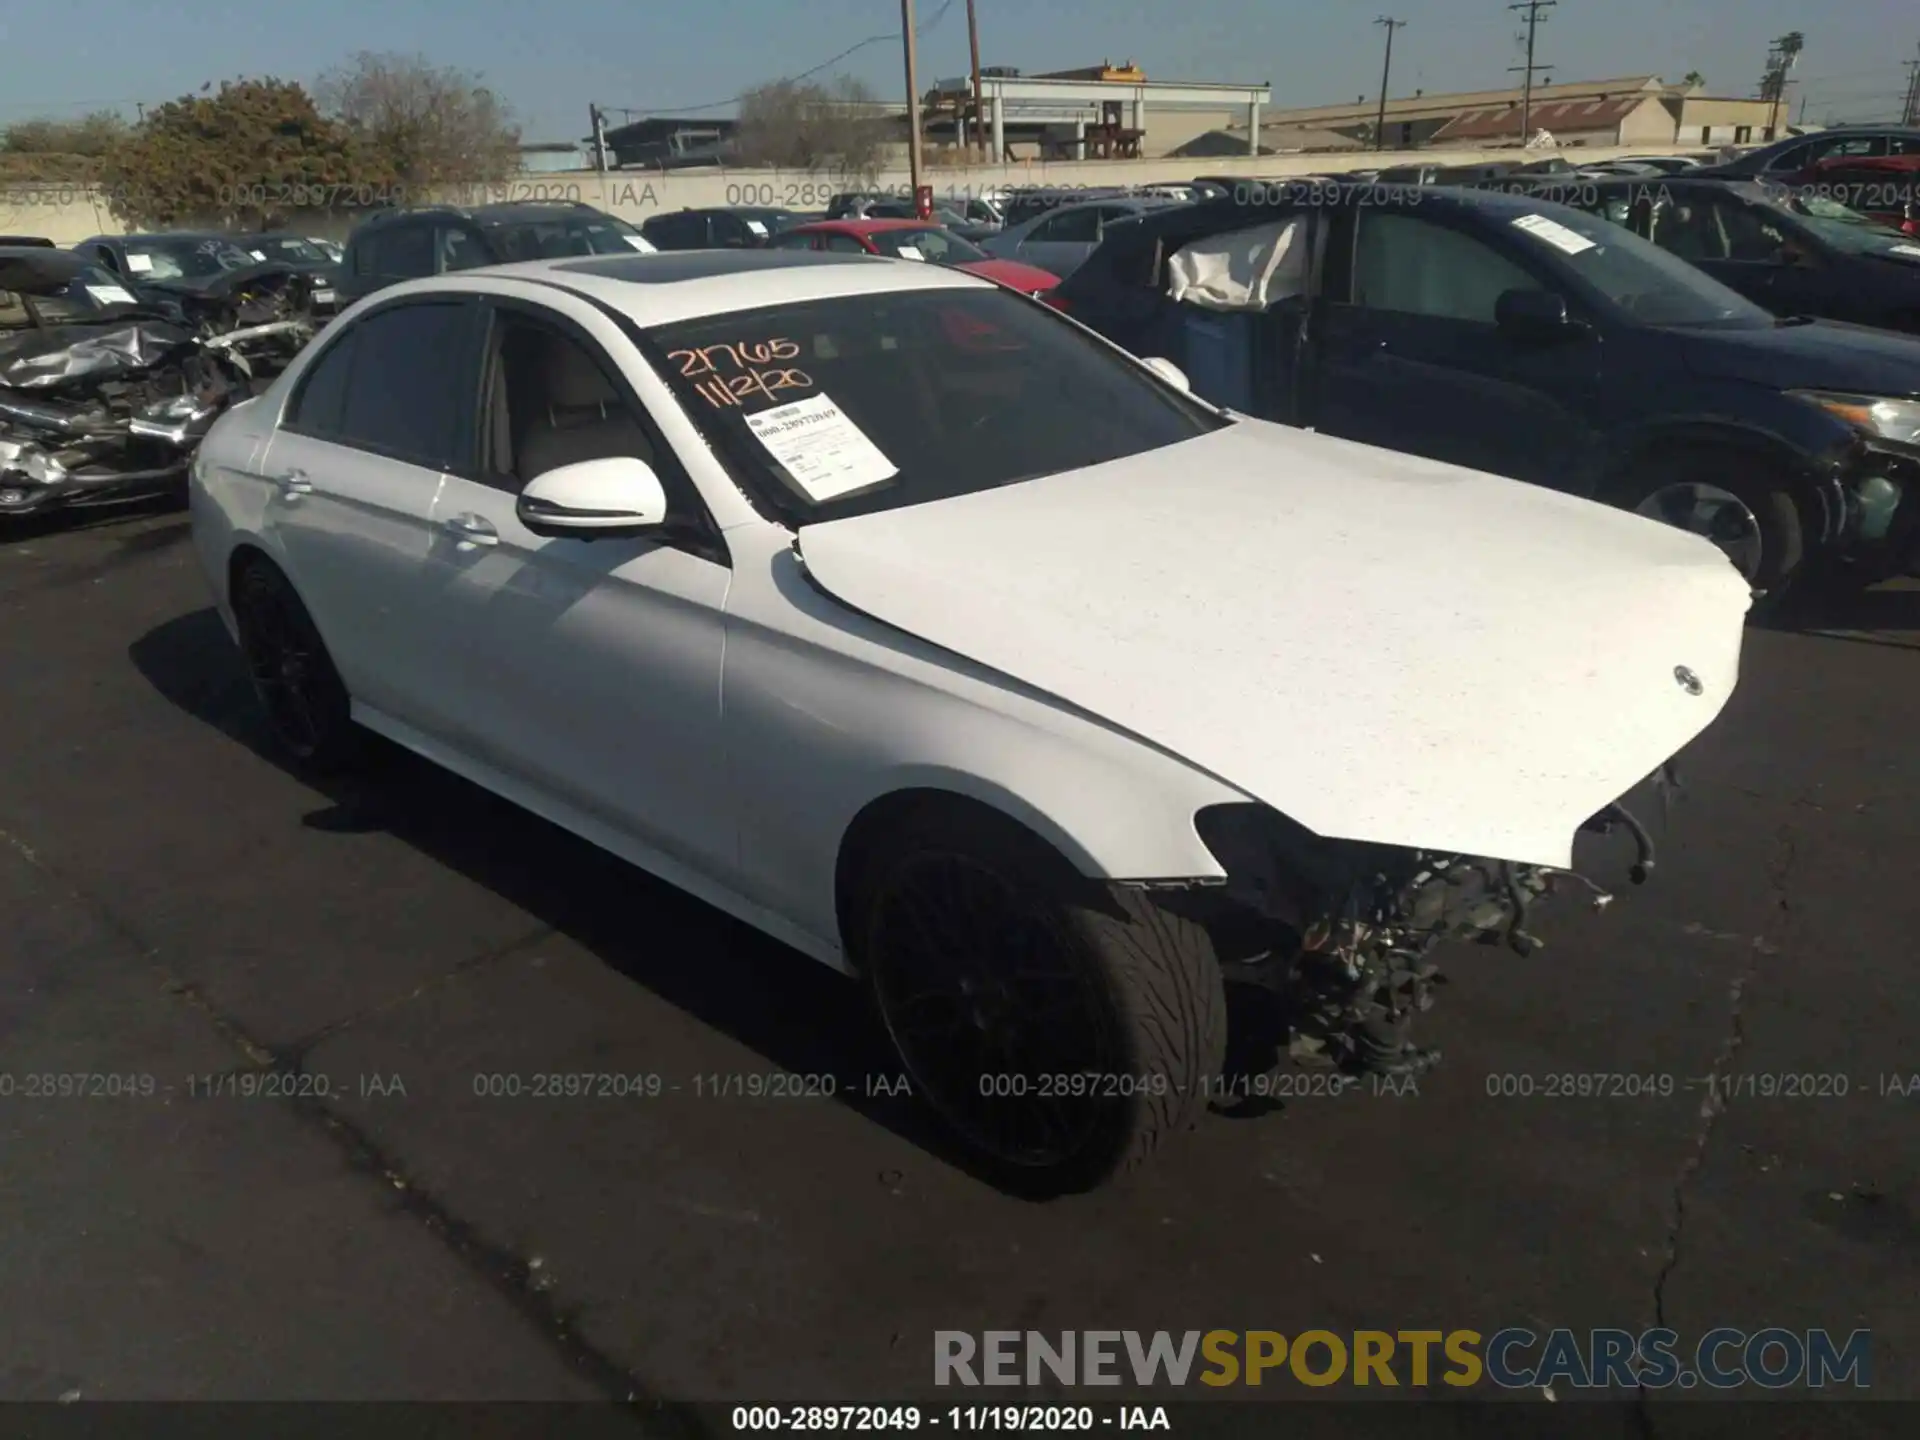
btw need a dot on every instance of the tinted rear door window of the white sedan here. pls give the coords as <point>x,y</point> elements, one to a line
<point>406,383</point>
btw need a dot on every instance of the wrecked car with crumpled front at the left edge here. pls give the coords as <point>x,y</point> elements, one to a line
<point>101,398</point>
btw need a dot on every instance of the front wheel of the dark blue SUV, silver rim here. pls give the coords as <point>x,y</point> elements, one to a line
<point>1742,506</point>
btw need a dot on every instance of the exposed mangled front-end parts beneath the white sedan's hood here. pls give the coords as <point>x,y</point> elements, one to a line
<point>1339,936</point>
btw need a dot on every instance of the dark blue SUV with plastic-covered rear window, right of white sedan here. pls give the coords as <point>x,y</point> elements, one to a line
<point>1533,341</point>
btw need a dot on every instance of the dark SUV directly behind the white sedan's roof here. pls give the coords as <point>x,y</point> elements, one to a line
<point>410,245</point>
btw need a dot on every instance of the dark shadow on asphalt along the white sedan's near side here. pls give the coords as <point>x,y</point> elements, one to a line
<point>790,1009</point>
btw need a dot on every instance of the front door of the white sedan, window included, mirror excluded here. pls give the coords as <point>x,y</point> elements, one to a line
<point>588,669</point>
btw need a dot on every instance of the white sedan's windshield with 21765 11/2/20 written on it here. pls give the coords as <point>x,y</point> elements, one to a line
<point>859,404</point>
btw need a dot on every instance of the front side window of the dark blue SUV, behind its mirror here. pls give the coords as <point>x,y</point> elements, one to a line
<point>1412,266</point>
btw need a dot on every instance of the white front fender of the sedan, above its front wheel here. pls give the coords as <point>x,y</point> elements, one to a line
<point>830,713</point>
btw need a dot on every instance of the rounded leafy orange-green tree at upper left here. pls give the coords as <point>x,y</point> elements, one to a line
<point>251,155</point>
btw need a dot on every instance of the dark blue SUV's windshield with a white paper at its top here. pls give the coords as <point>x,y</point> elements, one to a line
<point>1633,276</point>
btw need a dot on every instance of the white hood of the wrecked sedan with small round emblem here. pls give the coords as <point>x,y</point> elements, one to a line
<point>1383,648</point>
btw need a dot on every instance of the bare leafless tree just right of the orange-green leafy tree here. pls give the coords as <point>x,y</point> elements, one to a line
<point>431,126</point>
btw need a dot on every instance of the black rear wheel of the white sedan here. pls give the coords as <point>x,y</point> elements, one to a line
<point>308,708</point>
